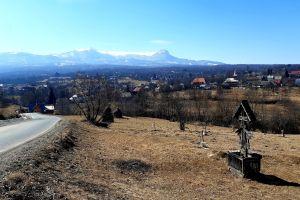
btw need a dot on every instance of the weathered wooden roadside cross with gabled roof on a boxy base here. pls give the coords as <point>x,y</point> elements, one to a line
<point>244,163</point>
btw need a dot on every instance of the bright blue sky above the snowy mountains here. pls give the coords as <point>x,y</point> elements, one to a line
<point>230,31</point>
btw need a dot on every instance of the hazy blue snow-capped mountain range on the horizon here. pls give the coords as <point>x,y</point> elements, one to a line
<point>95,57</point>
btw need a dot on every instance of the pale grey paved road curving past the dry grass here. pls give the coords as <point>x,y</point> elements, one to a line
<point>16,134</point>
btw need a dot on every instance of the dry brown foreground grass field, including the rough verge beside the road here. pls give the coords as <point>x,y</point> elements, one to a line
<point>146,158</point>
